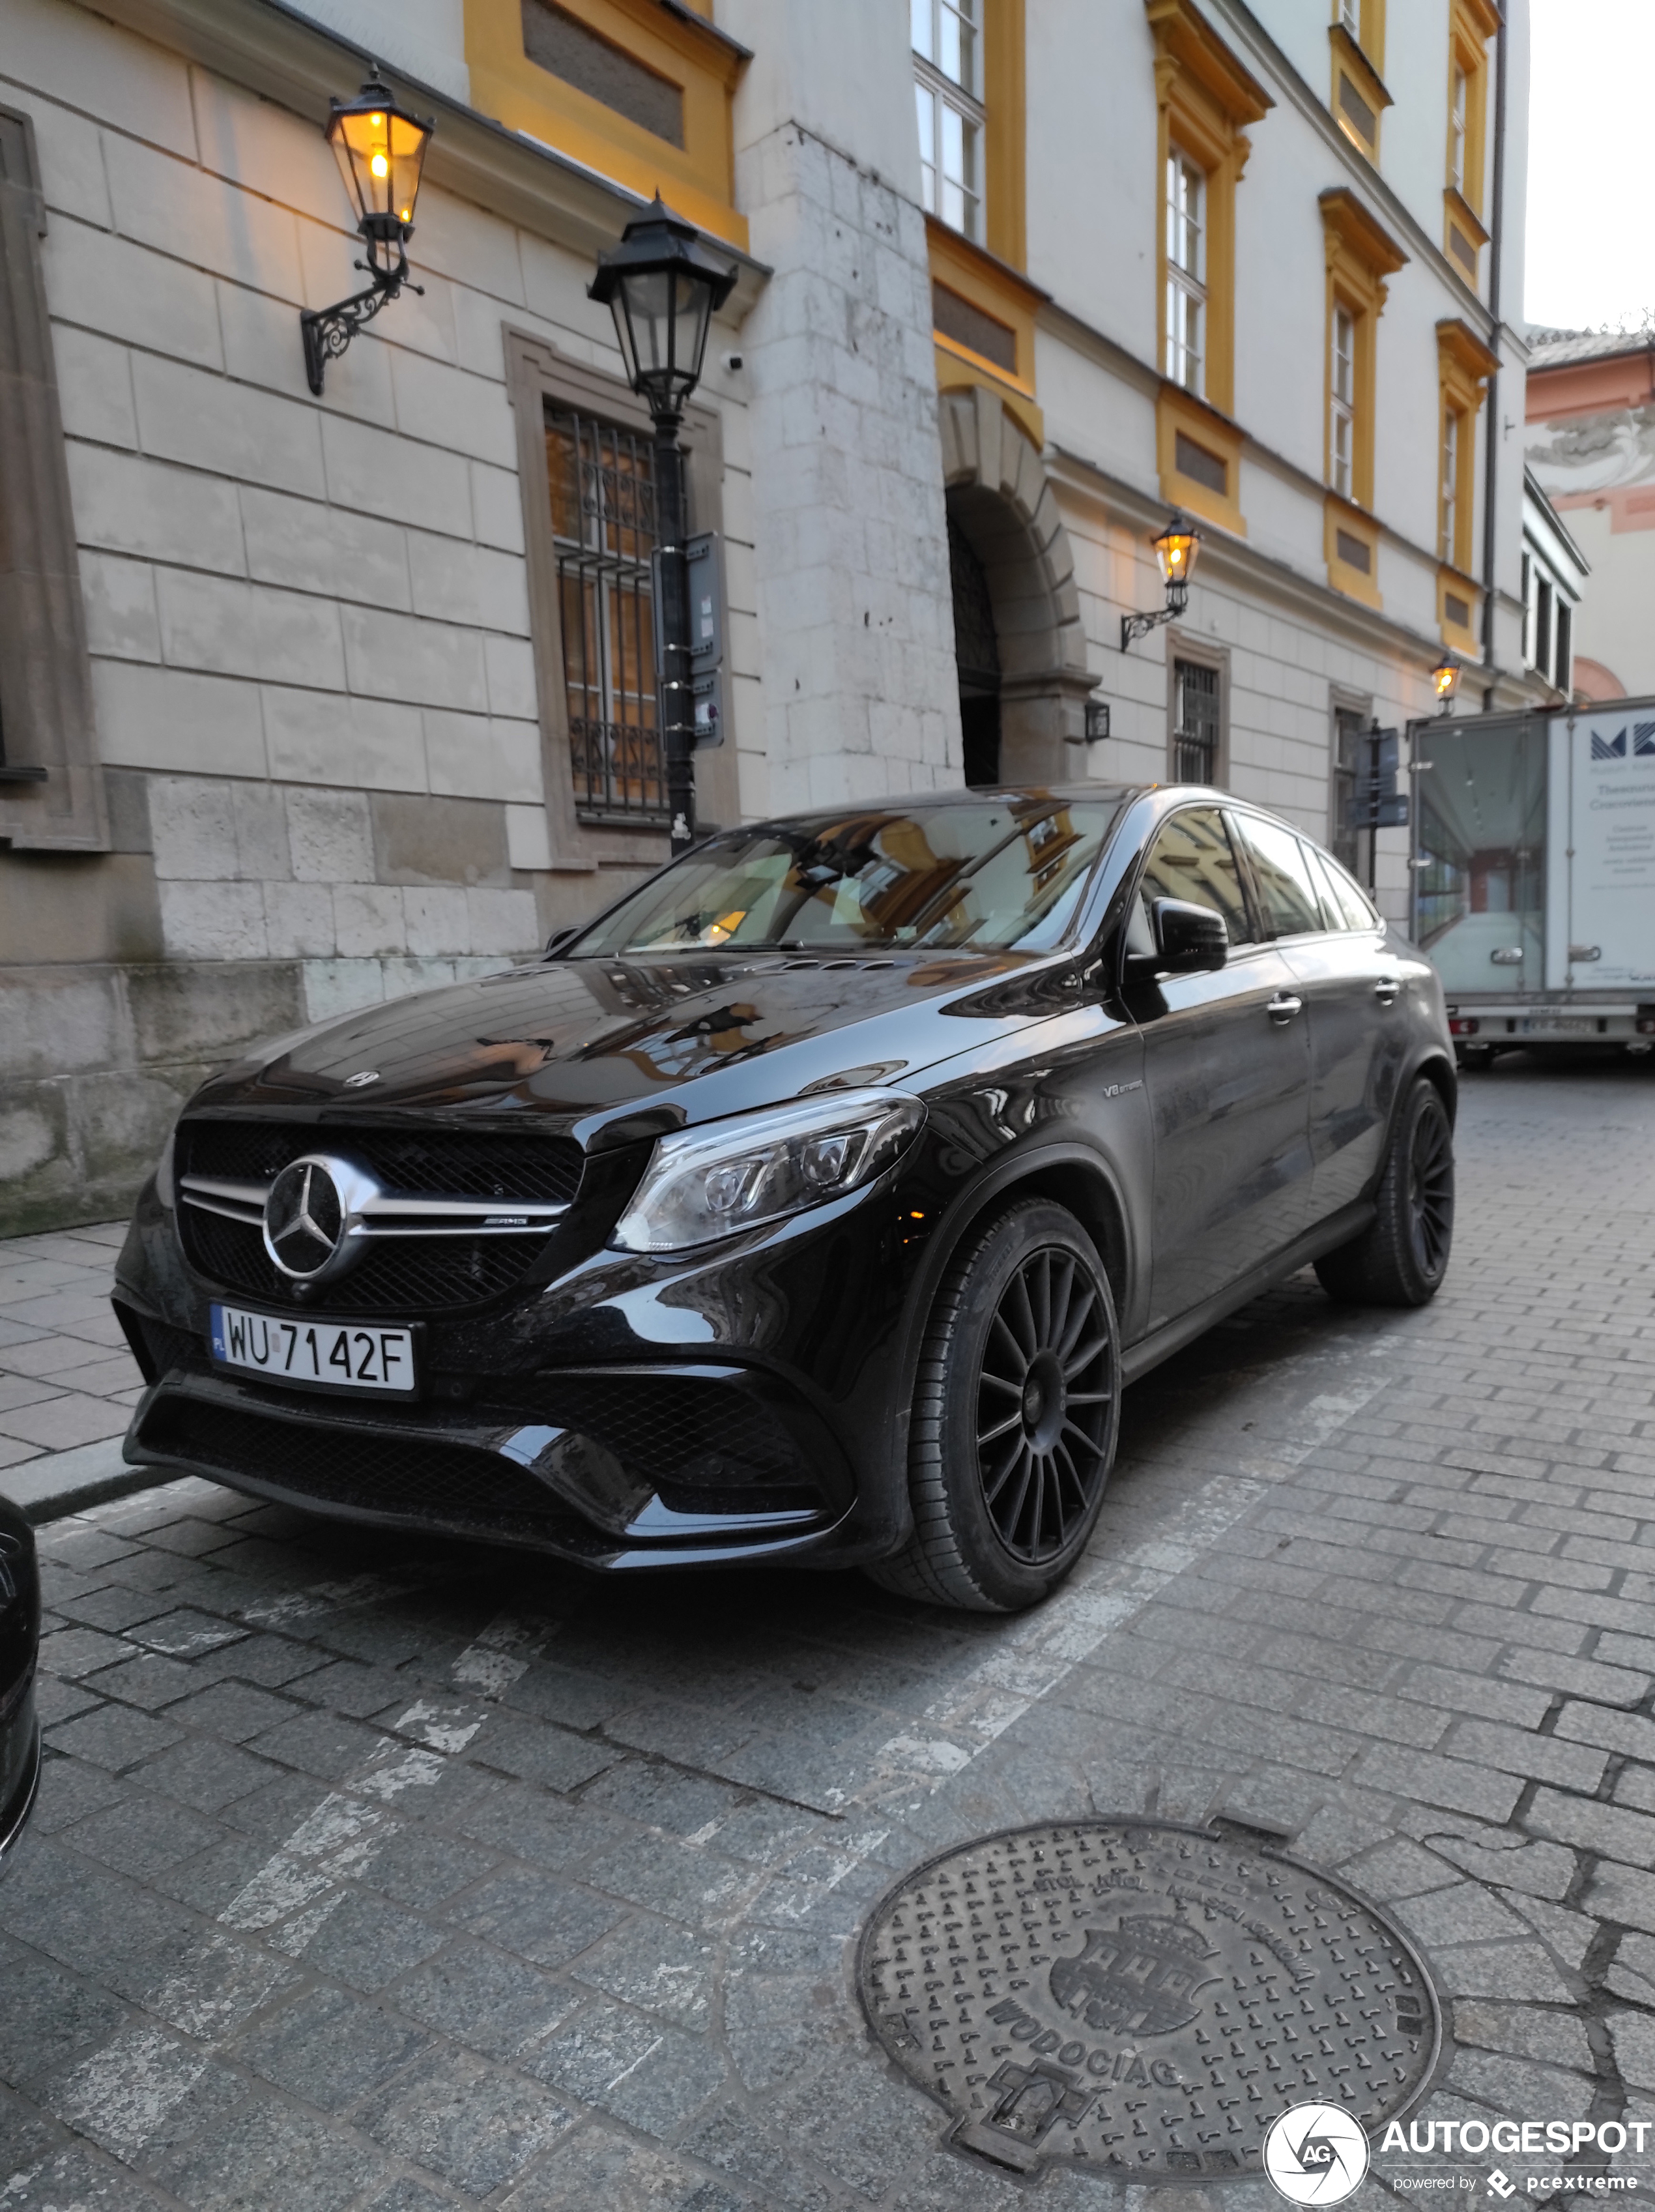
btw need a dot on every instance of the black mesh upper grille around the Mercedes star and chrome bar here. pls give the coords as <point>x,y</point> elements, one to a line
<point>399,1275</point>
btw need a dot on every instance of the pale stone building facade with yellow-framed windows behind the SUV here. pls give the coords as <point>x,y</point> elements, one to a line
<point>313,700</point>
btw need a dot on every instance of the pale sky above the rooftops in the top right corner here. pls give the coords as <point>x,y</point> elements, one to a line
<point>1592,247</point>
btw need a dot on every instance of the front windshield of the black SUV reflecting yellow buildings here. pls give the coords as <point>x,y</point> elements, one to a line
<point>1006,875</point>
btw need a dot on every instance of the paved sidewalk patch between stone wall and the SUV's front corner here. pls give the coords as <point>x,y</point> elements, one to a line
<point>65,1373</point>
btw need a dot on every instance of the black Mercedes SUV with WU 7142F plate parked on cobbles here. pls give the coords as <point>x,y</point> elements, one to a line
<point>813,1204</point>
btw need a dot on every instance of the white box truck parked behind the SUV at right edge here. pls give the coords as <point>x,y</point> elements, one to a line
<point>1534,877</point>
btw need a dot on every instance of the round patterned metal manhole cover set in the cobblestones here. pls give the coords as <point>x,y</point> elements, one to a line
<point>1143,1999</point>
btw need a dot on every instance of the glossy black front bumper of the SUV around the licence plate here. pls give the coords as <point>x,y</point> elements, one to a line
<point>627,1415</point>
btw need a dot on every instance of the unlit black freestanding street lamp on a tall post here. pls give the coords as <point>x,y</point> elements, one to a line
<point>663,286</point>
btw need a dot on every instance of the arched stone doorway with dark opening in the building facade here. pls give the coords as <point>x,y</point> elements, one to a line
<point>1023,707</point>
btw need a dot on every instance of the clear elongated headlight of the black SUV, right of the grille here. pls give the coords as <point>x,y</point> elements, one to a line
<point>753,1169</point>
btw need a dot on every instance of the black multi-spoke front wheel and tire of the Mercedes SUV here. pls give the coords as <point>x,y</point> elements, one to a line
<point>1017,1408</point>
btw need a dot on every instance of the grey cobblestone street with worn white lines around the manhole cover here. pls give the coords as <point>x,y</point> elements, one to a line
<point>408,1877</point>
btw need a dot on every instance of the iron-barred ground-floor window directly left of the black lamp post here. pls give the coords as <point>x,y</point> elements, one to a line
<point>603,523</point>
